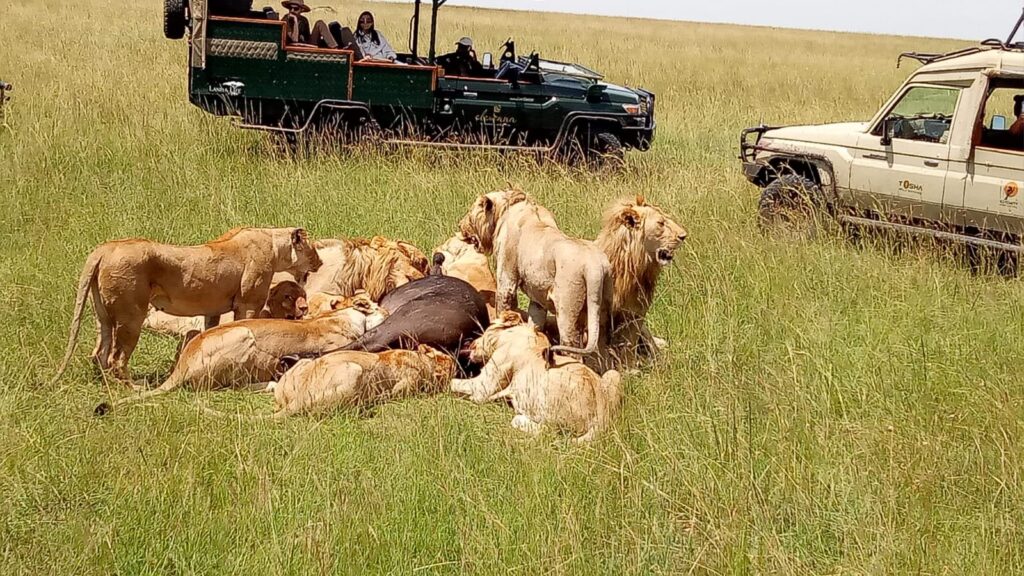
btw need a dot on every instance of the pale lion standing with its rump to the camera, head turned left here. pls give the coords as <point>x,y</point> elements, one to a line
<point>568,277</point>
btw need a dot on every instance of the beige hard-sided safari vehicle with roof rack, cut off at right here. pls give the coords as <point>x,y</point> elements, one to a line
<point>944,157</point>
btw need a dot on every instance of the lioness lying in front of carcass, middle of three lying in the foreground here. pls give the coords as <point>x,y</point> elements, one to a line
<point>350,380</point>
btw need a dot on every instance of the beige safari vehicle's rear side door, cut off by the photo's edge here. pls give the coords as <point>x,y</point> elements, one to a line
<point>996,174</point>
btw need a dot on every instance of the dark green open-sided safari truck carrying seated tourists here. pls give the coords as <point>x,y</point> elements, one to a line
<point>241,65</point>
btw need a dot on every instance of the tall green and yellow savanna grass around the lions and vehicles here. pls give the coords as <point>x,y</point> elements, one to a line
<point>825,408</point>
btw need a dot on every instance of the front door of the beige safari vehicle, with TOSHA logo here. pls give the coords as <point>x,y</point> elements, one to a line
<point>906,174</point>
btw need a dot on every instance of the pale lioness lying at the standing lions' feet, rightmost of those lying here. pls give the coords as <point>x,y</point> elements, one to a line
<point>545,389</point>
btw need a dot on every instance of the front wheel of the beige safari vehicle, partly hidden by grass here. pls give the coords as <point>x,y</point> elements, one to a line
<point>794,207</point>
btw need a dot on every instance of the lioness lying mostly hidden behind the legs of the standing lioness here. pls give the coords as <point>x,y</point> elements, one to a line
<point>287,302</point>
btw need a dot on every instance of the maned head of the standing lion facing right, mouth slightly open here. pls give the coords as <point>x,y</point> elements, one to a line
<point>639,239</point>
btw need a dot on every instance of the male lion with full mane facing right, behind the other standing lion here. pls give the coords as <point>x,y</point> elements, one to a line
<point>639,240</point>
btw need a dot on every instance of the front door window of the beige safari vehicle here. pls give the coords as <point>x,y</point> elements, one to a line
<point>924,114</point>
